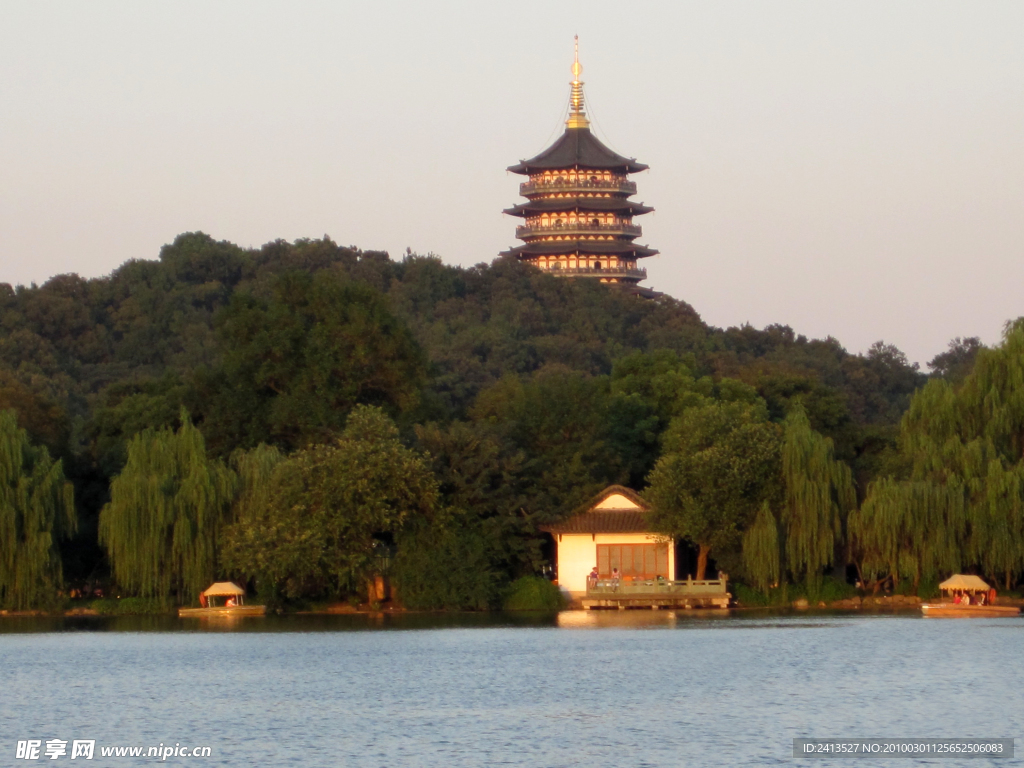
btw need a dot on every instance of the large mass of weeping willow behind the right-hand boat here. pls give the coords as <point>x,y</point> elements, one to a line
<point>961,500</point>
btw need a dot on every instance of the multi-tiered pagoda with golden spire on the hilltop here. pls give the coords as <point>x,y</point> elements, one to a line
<point>578,219</point>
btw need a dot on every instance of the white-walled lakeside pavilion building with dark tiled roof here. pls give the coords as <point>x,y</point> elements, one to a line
<point>610,532</point>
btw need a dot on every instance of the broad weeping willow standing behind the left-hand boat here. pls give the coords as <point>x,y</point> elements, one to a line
<point>161,526</point>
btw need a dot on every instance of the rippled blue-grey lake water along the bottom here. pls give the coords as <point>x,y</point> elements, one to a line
<point>617,690</point>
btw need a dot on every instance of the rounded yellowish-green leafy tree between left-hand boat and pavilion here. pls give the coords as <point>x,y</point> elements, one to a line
<point>315,527</point>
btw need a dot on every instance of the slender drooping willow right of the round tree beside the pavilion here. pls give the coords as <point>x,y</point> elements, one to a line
<point>819,495</point>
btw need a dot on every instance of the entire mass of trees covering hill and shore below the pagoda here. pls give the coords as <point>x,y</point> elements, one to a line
<point>305,416</point>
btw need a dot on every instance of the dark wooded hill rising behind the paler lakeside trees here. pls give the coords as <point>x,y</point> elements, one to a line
<point>278,345</point>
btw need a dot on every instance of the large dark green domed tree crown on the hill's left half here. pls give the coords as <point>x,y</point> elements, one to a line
<point>296,364</point>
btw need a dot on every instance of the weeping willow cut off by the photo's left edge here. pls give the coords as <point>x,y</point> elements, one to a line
<point>37,508</point>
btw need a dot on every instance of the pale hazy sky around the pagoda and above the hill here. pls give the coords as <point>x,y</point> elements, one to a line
<point>850,169</point>
